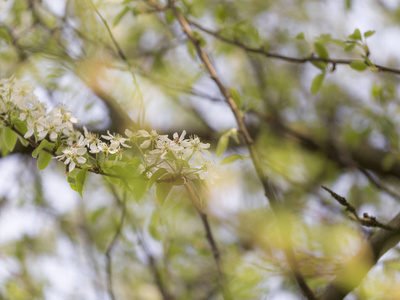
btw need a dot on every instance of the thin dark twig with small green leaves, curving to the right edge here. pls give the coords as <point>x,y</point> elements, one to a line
<point>262,51</point>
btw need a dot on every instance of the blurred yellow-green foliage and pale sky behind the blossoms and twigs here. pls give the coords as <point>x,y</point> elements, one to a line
<point>346,136</point>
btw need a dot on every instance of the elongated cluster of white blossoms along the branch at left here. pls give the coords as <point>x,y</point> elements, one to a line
<point>180,157</point>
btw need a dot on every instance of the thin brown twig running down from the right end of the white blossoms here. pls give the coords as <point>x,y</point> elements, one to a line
<point>211,241</point>
